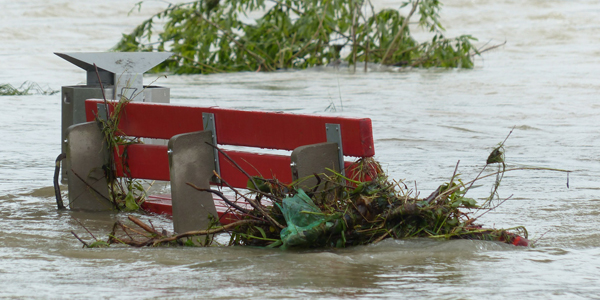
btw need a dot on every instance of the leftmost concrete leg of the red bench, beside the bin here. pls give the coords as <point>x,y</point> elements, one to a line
<point>86,154</point>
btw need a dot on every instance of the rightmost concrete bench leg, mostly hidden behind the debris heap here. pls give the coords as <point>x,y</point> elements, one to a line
<point>310,159</point>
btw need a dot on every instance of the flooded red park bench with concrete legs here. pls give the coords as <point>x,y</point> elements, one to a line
<point>316,142</point>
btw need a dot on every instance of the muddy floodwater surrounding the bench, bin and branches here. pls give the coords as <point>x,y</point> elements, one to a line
<point>544,81</point>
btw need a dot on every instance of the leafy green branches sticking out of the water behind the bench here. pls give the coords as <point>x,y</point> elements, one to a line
<point>211,36</point>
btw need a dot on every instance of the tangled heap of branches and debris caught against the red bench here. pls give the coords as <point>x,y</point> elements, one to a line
<point>341,212</point>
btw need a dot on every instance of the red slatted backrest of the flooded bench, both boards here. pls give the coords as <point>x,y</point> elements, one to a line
<point>270,130</point>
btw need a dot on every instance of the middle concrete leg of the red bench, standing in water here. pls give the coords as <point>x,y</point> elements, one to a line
<point>191,160</point>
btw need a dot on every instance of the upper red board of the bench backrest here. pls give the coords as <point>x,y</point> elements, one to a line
<point>242,128</point>
